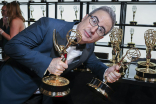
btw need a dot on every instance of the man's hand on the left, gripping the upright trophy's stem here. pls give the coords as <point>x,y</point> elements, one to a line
<point>57,66</point>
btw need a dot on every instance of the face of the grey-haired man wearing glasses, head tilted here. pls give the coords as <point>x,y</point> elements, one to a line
<point>89,32</point>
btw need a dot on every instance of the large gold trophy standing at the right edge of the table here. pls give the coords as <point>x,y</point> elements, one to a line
<point>146,73</point>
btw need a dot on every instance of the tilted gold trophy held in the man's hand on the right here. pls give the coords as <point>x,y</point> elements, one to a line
<point>102,88</point>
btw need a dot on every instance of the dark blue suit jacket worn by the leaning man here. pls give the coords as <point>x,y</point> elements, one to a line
<point>30,53</point>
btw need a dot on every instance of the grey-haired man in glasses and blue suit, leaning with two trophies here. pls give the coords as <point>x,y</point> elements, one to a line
<point>30,53</point>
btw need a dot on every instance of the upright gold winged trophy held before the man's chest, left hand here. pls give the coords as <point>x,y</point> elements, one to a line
<point>56,86</point>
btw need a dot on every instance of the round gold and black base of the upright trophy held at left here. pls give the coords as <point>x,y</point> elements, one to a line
<point>55,86</point>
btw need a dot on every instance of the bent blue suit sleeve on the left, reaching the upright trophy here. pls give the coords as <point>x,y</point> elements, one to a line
<point>21,47</point>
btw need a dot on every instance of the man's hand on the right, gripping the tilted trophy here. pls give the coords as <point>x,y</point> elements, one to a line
<point>112,74</point>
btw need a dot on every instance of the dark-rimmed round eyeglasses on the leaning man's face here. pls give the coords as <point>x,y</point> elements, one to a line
<point>94,22</point>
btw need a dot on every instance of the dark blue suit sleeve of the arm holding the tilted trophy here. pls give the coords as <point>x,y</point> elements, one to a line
<point>96,66</point>
